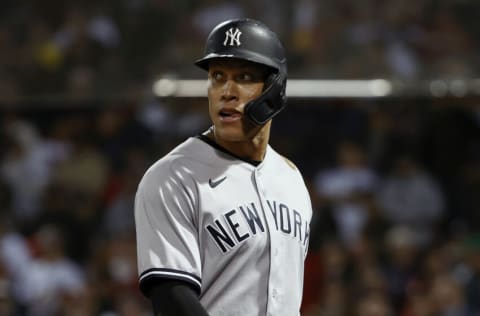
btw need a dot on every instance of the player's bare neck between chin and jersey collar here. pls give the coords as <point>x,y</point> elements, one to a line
<point>253,148</point>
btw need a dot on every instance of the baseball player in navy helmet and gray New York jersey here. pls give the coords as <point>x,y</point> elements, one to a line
<point>223,220</point>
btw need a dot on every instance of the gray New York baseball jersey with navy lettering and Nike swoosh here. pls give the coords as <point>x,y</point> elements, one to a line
<point>236,231</point>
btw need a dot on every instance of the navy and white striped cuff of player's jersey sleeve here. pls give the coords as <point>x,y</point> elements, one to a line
<point>153,275</point>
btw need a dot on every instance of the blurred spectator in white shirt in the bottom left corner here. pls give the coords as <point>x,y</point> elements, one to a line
<point>40,278</point>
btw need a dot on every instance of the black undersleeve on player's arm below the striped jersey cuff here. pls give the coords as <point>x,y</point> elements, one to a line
<point>175,298</point>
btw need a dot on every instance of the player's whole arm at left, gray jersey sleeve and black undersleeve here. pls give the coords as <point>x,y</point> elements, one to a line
<point>167,242</point>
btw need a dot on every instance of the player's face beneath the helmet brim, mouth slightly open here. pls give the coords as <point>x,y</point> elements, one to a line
<point>231,85</point>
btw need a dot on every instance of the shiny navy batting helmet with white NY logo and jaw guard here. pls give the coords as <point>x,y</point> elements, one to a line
<point>250,40</point>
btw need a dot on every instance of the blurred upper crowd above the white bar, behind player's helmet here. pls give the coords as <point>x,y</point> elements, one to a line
<point>104,48</point>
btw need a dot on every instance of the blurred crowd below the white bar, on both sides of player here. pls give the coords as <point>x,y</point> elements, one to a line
<point>395,186</point>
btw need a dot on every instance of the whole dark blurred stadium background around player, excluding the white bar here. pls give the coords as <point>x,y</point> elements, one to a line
<point>395,180</point>
